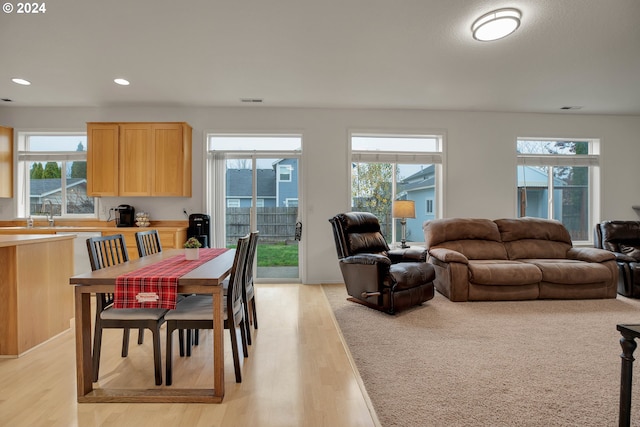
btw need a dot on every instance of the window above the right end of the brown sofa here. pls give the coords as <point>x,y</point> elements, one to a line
<point>559,179</point>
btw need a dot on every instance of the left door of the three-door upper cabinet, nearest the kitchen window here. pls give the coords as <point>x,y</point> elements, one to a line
<point>102,159</point>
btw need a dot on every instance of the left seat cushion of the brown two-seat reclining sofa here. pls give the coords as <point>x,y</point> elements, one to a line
<point>489,272</point>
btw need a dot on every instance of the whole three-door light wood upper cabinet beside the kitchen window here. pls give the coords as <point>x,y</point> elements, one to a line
<point>154,159</point>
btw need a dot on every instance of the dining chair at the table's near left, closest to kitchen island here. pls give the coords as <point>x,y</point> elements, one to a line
<point>107,251</point>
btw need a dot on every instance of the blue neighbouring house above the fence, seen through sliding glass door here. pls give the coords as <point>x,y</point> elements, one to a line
<point>277,186</point>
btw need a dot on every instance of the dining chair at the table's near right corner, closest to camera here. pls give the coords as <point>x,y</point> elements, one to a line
<point>195,312</point>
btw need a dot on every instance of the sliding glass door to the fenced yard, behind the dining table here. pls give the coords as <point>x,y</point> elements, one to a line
<point>261,192</point>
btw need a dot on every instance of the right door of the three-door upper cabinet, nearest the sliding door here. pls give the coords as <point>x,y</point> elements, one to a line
<point>171,158</point>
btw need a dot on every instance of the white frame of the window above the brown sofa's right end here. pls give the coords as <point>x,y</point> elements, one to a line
<point>590,160</point>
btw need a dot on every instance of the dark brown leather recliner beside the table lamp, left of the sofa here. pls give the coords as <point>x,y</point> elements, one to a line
<point>380,278</point>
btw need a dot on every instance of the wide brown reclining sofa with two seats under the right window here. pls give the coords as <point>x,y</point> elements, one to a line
<point>515,259</point>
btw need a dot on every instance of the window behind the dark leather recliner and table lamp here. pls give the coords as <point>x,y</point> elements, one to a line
<point>397,167</point>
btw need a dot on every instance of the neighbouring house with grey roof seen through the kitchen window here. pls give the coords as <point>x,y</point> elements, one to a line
<point>50,189</point>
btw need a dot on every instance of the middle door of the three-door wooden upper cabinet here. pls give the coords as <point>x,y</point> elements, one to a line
<point>136,152</point>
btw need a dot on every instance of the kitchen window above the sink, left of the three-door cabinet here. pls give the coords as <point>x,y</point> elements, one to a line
<point>52,175</point>
